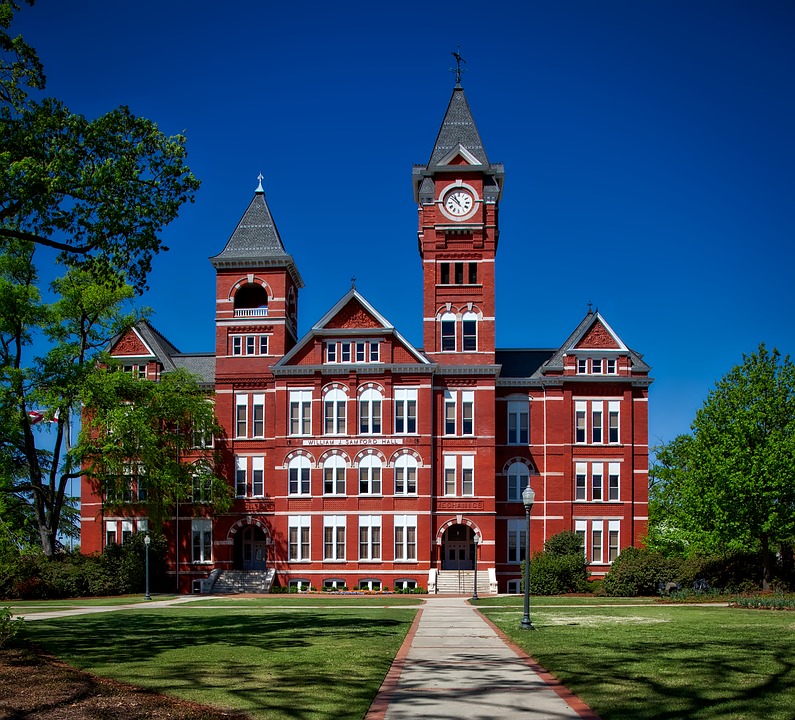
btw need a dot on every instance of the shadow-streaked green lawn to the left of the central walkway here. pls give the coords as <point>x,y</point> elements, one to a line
<point>310,664</point>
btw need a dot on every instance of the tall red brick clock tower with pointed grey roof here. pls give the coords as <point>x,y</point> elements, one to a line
<point>458,192</point>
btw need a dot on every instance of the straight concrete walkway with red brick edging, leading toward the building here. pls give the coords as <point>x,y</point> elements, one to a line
<point>454,664</point>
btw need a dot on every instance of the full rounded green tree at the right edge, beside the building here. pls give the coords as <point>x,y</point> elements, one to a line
<point>732,484</point>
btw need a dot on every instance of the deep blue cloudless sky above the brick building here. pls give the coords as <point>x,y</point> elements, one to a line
<point>649,150</point>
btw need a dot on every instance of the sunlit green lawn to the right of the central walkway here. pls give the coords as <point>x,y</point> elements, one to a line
<point>664,661</point>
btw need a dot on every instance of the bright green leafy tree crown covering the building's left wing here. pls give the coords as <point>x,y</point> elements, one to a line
<point>138,435</point>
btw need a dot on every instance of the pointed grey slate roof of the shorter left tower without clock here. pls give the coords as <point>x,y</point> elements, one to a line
<point>256,240</point>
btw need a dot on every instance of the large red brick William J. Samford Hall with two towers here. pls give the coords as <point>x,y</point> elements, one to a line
<point>362,461</point>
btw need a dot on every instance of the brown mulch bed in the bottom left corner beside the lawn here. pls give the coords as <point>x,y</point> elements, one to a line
<point>35,686</point>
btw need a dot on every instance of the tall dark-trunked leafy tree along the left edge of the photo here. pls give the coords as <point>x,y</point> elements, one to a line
<point>99,192</point>
